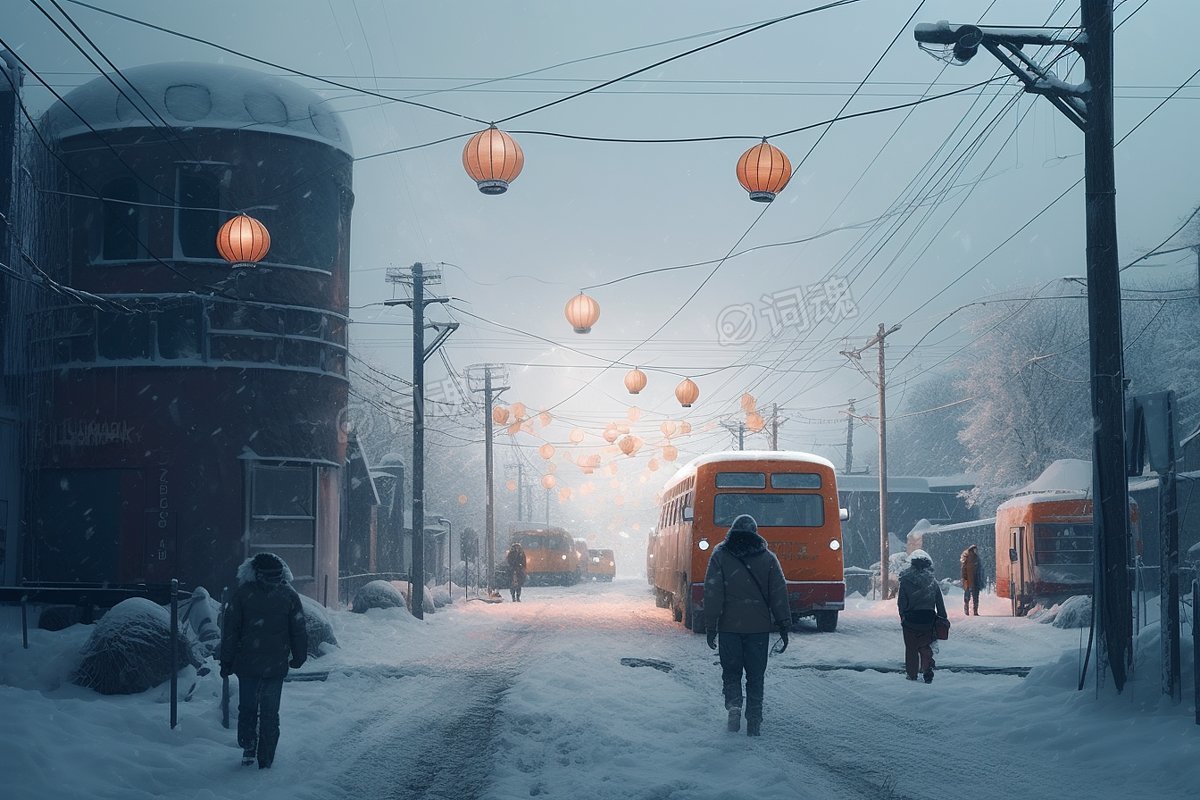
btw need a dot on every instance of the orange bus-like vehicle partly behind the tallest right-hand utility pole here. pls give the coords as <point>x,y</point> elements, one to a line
<point>1045,548</point>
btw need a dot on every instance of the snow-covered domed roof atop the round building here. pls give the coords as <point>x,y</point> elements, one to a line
<point>199,97</point>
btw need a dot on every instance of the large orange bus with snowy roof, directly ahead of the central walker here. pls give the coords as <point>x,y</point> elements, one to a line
<point>794,498</point>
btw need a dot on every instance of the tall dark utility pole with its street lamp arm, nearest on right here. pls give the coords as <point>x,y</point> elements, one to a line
<point>1089,106</point>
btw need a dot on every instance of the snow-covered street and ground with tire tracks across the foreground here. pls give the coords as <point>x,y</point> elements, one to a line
<point>532,700</point>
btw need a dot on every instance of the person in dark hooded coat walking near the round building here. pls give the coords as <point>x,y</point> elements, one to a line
<point>263,634</point>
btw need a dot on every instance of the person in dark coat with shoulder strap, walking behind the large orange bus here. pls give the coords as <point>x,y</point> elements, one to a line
<point>746,599</point>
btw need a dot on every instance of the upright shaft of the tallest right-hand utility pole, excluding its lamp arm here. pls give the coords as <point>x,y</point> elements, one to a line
<point>1109,482</point>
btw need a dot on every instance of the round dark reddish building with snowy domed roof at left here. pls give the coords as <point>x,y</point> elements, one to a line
<point>189,414</point>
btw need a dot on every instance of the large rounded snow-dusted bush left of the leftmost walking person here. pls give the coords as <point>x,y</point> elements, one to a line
<point>130,649</point>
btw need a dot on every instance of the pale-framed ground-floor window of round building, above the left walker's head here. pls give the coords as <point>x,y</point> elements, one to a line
<point>284,515</point>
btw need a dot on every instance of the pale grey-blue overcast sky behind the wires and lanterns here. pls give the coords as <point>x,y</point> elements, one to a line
<point>584,213</point>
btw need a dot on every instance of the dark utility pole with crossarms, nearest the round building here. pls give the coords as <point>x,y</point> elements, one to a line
<point>417,279</point>
